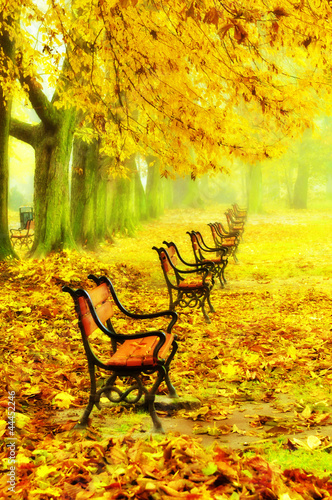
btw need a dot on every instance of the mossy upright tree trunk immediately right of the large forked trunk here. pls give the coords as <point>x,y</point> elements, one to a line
<point>84,198</point>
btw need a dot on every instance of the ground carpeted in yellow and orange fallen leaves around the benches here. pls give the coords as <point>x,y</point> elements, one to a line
<point>270,338</point>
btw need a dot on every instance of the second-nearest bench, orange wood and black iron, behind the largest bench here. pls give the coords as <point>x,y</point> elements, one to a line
<point>191,285</point>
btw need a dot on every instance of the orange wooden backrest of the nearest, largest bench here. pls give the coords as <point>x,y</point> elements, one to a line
<point>104,308</point>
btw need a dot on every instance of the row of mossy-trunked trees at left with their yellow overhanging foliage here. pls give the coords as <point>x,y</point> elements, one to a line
<point>179,83</point>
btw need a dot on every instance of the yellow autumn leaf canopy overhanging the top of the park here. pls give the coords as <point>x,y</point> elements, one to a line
<point>189,82</point>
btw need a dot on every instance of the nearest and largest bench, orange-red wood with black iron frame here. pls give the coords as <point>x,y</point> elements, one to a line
<point>131,355</point>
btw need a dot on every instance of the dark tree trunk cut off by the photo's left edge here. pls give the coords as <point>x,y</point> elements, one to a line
<point>7,46</point>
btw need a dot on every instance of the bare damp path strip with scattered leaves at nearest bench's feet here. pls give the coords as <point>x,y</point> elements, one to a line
<point>251,424</point>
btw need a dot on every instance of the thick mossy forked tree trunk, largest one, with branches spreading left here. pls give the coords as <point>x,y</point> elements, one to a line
<point>52,140</point>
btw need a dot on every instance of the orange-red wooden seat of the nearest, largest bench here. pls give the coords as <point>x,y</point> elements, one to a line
<point>139,352</point>
